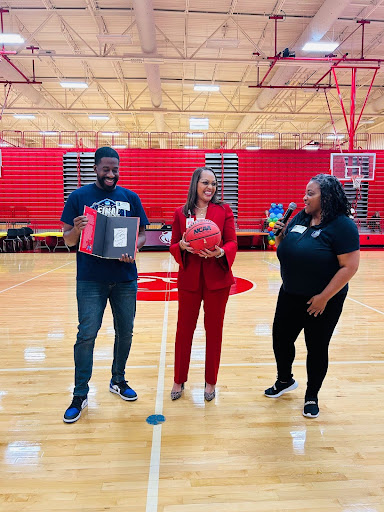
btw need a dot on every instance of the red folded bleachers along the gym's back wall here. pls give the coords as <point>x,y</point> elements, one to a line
<point>31,183</point>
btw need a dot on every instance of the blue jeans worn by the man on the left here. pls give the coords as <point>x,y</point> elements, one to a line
<point>92,297</point>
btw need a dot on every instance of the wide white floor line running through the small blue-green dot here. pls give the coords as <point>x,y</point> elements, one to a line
<point>154,468</point>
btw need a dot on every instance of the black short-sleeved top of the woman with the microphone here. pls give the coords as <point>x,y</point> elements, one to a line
<point>308,255</point>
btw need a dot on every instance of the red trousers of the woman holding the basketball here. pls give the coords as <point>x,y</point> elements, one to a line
<point>215,302</point>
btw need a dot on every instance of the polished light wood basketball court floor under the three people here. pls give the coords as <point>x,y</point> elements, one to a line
<point>242,452</point>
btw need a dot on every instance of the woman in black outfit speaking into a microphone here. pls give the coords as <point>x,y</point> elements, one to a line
<point>319,253</point>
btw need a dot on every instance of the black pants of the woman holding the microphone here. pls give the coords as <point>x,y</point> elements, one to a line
<point>290,318</point>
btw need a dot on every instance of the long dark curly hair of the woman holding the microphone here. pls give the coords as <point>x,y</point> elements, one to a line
<point>334,202</point>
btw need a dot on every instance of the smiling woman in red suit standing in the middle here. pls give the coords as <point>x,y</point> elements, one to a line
<point>203,276</point>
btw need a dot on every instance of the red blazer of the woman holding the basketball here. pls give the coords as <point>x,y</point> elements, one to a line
<point>216,271</point>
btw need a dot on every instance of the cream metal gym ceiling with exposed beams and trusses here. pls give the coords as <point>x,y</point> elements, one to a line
<point>141,61</point>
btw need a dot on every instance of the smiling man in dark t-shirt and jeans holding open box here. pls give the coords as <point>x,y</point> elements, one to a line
<point>102,279</point>
